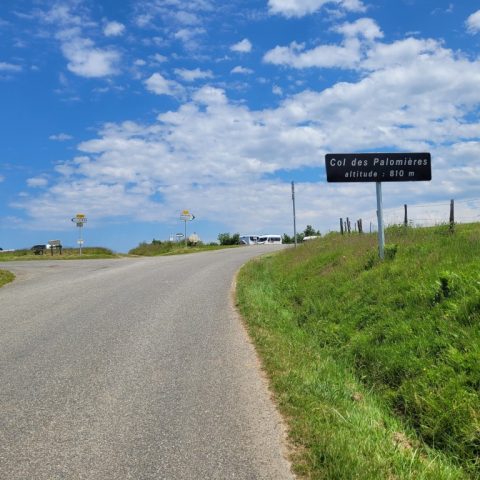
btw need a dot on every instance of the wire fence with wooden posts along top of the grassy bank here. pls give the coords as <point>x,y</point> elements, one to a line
<point>418,215</point>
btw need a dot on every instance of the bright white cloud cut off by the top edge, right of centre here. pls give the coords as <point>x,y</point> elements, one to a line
<point>299,8</point>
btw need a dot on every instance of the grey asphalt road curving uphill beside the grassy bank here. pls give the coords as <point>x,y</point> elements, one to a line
<point>132,369</point>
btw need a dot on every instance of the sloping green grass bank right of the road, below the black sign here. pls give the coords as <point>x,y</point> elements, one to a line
<point>376,365</point>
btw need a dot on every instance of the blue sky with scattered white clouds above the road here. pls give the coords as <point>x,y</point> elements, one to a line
<point>132,111</point>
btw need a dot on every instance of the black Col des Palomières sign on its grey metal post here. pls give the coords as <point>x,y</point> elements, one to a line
<point>378,168</point>
